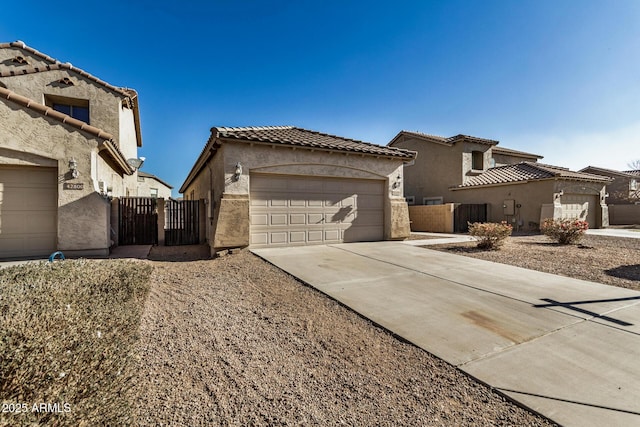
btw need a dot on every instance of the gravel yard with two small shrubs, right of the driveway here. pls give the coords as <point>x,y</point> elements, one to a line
<point>610,260</point>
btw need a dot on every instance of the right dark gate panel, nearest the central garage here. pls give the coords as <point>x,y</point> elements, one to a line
<point>182,219</point>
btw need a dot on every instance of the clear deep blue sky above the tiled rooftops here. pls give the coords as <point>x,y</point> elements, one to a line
<point>557,78</point>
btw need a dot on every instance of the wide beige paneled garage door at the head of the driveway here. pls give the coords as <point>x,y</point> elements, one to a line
<point>293,210</point>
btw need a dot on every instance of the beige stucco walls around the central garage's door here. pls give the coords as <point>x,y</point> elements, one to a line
<point>231,197</point>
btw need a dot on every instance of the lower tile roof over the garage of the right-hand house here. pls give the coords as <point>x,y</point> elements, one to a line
<point>528,171</point>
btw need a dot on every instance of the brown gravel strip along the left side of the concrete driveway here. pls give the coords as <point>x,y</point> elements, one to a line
<point>235,341</point>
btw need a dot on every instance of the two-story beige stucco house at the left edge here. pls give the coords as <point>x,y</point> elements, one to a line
<point>68,142</point>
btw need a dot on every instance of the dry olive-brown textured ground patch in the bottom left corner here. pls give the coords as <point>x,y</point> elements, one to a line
<point>67,335</point>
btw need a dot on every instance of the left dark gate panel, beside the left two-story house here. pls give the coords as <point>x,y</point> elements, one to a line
<point>138,221</point>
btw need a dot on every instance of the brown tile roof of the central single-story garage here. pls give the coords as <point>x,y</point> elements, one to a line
<point>294,136</point>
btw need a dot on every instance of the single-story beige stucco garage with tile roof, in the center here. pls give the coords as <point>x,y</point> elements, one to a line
<point>283,185</point>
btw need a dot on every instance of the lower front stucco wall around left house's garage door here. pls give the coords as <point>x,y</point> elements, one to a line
<point>30,138</point>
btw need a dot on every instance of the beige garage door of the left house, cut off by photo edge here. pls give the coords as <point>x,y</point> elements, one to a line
<point>28,211</point>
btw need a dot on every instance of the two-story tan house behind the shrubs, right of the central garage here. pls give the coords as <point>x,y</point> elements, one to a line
<point>470,170</point>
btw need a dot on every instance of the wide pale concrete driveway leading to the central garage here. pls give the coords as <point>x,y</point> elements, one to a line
<point>566,348</point>
